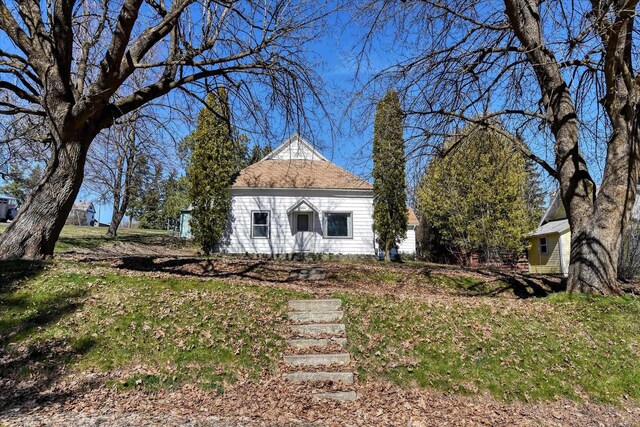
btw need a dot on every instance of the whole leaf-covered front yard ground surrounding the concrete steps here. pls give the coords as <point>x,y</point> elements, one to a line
<point>103,334</point>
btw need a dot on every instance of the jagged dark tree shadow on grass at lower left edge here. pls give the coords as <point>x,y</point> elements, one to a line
<point>30,365</point>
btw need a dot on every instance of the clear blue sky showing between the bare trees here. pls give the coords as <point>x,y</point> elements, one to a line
<point>335,58</point>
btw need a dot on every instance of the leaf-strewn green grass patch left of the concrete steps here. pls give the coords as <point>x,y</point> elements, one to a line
<point>148,332</point>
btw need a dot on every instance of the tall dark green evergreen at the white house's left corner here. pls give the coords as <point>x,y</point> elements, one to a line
<point>217,155</point>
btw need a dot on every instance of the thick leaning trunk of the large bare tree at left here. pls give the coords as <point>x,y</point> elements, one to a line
<point>35,230</point>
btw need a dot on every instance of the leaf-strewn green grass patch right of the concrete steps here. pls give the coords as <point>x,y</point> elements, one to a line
<point>562,346</point>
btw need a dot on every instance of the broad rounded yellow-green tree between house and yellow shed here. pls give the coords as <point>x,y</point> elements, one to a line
<point>474,197</point>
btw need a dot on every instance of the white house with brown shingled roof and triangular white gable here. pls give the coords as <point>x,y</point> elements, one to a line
<point>296,201</point>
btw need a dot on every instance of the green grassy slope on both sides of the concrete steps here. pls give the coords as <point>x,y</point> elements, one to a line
<point>158,331</point>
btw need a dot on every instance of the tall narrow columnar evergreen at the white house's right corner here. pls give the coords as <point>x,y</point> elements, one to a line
<point>389,197</point>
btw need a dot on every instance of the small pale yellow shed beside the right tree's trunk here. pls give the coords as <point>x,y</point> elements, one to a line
<point>550,244</point>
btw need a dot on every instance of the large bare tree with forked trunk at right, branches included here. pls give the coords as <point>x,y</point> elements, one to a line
<point>556,71</point>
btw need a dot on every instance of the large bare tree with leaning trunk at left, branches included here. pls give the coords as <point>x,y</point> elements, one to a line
<point>68,61</point>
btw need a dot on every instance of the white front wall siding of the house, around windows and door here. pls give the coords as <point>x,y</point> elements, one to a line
<point>283,239</point>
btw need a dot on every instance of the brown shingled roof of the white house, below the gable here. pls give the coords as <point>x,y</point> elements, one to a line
<point>298,174</point>
